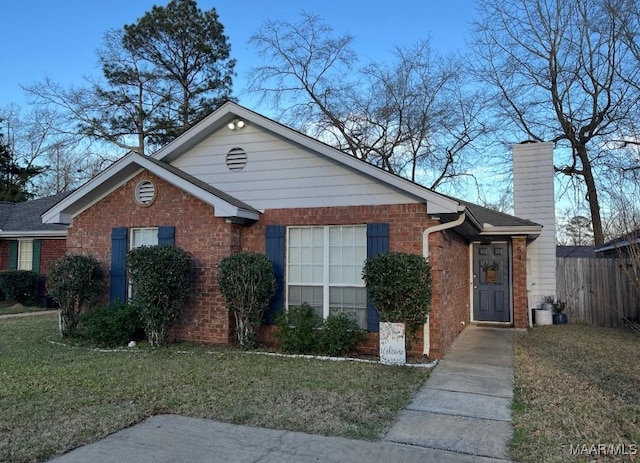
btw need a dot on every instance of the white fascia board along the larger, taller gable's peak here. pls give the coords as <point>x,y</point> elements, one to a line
<point>436,203</point>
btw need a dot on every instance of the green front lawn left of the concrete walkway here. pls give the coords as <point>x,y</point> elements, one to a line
<point>55,397</point>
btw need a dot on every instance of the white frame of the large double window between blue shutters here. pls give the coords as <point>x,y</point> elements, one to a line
<point>326,284</point>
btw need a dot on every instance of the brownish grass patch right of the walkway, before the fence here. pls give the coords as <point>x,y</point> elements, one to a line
<point>576,385</point>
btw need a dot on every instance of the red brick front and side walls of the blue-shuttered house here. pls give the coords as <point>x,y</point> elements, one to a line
<point>209,238</point>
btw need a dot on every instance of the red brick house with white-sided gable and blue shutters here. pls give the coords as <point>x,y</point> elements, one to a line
<point>239,181</point>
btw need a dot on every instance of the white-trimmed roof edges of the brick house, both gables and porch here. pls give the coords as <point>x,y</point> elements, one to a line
<point>480,220</point>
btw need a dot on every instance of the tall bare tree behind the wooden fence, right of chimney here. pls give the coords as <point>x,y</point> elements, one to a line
<point>560,69</point>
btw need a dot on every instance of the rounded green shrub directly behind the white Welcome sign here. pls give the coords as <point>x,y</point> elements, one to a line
<point>400,285</point>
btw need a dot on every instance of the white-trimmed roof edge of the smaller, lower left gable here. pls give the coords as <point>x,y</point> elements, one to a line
<point>129,166</point>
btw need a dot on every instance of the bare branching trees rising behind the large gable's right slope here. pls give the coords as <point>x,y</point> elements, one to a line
<point>414,117</point>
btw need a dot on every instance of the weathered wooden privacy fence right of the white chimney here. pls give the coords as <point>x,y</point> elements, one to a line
<point>598,292</point>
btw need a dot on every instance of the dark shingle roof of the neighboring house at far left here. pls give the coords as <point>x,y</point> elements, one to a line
<point>25,216</point>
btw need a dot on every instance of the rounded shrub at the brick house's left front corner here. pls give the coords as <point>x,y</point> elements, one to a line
<point>76,283</point>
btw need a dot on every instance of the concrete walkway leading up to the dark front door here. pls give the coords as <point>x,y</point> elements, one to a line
<point>464,406</point>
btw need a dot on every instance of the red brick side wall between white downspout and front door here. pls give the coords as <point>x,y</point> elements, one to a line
<point>449,258</point>
